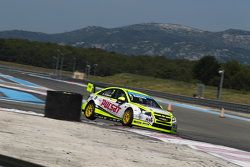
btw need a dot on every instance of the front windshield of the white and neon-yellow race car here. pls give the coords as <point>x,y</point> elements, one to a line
<point>143,99</point>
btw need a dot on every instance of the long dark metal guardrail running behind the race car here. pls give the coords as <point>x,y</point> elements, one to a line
<point>186,99</point>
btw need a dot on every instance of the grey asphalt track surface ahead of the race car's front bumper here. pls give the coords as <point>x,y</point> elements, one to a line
<point>213,129</point>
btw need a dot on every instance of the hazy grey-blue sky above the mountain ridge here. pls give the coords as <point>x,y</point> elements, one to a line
<point>55,16</point>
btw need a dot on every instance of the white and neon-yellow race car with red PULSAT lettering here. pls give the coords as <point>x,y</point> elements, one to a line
<point>128,107</point>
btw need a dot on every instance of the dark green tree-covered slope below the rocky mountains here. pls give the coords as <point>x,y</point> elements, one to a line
<point>103,63</point>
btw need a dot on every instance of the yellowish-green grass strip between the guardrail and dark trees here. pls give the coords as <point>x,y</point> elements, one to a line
<point>175,87</point>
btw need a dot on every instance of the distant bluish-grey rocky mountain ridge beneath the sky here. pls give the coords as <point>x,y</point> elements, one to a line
<point>170,40</point>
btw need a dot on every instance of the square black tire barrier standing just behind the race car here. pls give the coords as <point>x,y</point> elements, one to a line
<point>63,105</point>
